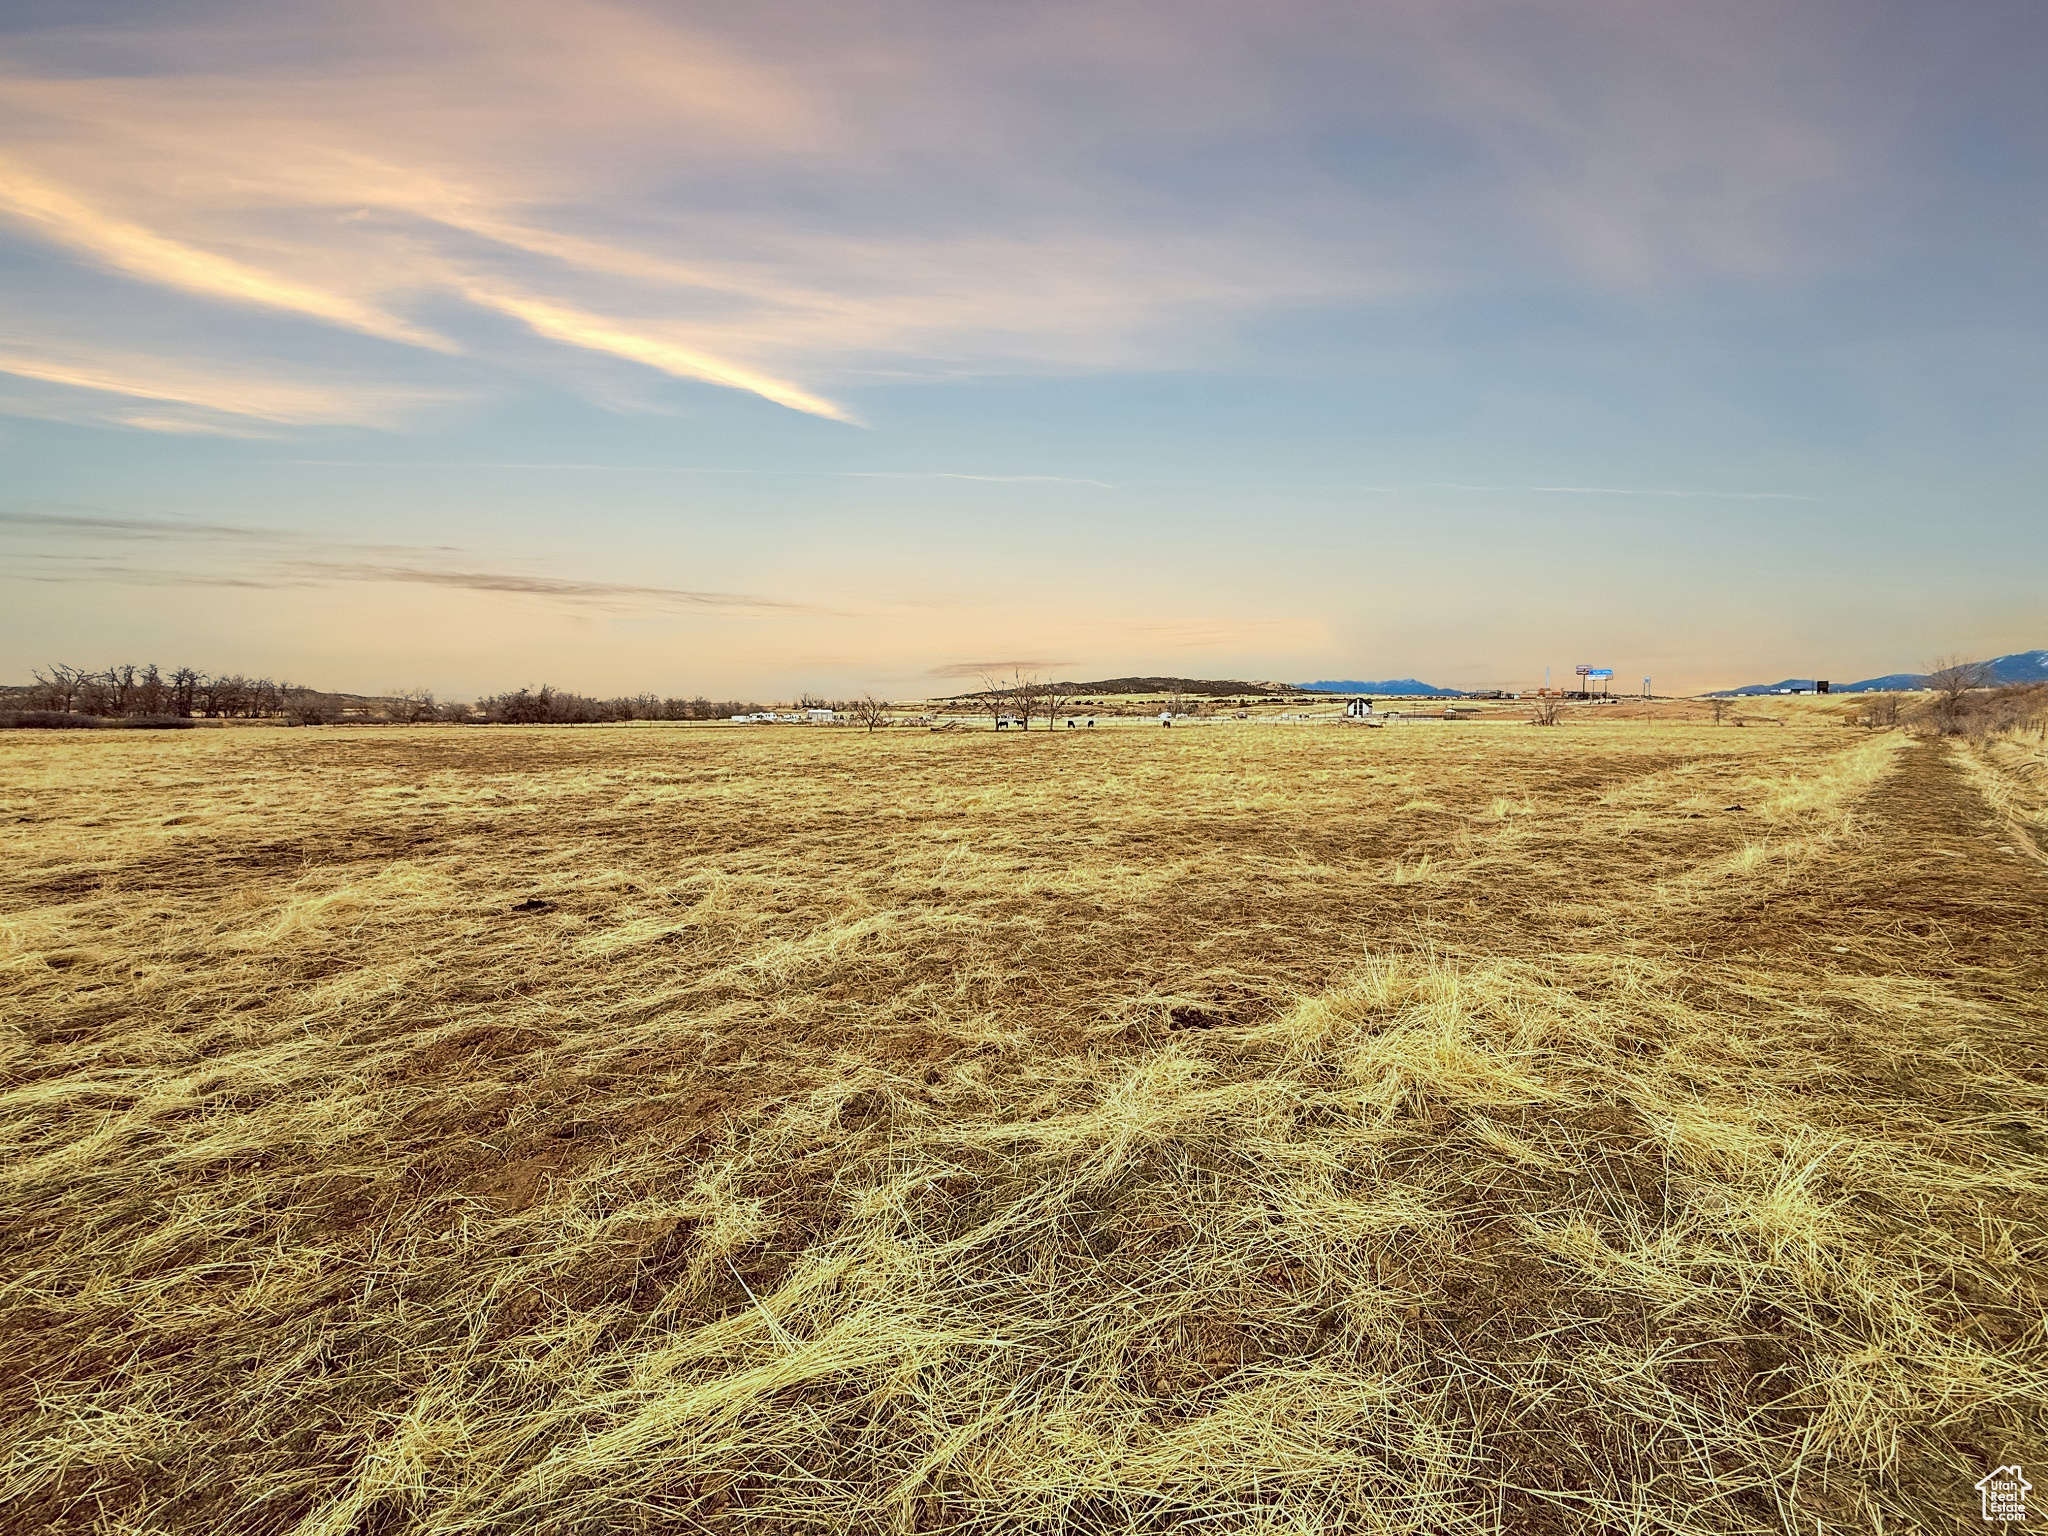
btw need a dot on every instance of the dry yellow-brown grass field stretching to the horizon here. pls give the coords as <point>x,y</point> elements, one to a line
<point>1627,1127</point>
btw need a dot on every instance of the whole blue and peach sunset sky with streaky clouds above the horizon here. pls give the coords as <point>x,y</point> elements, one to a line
<point>849,347</point>
